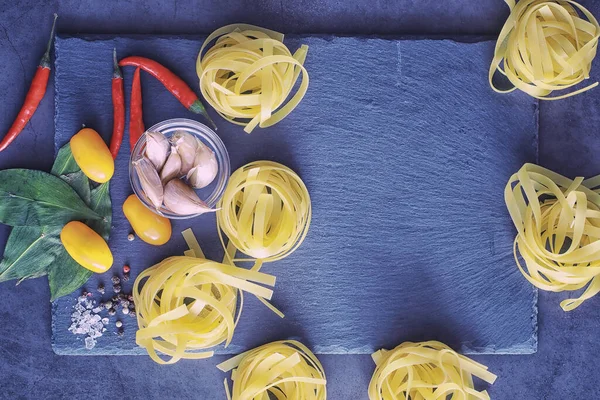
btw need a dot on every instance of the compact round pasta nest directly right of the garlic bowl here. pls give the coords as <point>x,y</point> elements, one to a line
<point>265,211</point>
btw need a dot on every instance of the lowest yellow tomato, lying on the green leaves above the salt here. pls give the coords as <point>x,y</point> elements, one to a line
<point>86,247</point>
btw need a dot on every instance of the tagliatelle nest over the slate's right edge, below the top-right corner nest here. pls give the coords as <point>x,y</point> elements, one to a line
<point>558,231</point>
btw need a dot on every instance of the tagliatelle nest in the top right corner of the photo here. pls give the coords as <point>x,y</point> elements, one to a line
<point>546,46</point>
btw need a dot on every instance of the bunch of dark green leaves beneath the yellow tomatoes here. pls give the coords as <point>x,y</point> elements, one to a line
<point>33,251</point>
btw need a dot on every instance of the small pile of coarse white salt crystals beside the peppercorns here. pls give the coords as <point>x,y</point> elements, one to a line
<point>86,321</point>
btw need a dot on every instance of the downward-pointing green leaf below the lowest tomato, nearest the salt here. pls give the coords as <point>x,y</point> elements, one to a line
<point>65,275</point>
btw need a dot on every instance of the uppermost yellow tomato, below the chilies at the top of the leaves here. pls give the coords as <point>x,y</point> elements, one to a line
<point>92,155</point>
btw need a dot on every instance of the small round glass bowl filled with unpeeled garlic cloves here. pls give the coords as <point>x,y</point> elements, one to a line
<point>179,168</point>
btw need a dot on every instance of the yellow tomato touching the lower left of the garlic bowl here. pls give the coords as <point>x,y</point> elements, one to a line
<point>150,227</point>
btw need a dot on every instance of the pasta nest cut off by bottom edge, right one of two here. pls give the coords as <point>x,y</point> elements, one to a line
<point>427,370</point>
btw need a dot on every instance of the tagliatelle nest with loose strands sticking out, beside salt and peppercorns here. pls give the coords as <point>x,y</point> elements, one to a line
<point>187,305</point>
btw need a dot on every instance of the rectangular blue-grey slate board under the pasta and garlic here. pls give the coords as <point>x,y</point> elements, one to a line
<point>405,151</point>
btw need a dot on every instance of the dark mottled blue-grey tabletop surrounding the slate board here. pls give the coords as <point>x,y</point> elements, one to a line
<point>565,364</point>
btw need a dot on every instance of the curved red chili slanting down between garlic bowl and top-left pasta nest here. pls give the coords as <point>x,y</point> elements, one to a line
<point>172,82</point>
